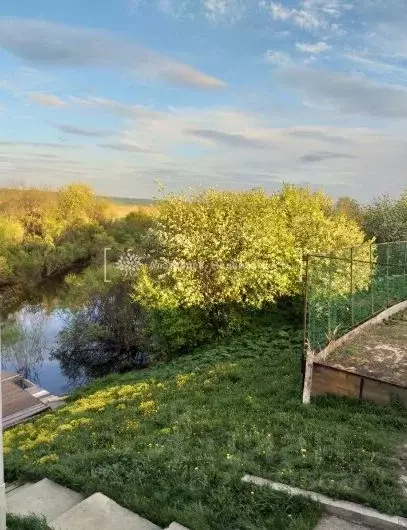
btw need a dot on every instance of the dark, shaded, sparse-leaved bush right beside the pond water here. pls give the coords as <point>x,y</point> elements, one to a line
<point>104,336</point>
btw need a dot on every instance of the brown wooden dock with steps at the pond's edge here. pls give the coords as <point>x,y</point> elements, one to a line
<point>22,399</point>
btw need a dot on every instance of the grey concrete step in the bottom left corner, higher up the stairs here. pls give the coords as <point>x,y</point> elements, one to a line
<point>43,498</point>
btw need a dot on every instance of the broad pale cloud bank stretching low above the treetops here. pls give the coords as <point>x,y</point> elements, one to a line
<point>155,145</point>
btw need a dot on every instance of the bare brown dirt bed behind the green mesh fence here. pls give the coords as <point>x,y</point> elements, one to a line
<point>380,352</point>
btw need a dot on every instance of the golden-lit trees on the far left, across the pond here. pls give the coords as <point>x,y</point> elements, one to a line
<point>45,235</point>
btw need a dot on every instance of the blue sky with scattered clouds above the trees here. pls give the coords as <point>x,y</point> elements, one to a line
<point>130,95</point>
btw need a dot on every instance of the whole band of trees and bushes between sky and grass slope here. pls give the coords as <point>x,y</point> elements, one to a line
<point>186,271</point>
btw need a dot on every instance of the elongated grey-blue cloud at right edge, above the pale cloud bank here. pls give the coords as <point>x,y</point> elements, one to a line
<point>354,95</point>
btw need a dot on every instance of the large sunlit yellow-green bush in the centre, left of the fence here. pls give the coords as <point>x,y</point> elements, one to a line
<point>211,257</point>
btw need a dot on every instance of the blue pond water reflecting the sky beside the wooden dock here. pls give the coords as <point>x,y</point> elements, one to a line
<point>31,354</point>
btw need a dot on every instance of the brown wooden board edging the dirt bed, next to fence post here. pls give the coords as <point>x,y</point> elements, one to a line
<point>327,380</point>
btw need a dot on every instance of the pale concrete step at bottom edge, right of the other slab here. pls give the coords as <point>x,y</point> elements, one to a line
<point>98,512</point>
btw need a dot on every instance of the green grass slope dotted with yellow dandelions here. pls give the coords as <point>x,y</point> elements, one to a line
<point>172,442</point>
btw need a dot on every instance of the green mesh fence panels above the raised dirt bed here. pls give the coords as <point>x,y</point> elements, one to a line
<point>344,288</point>
